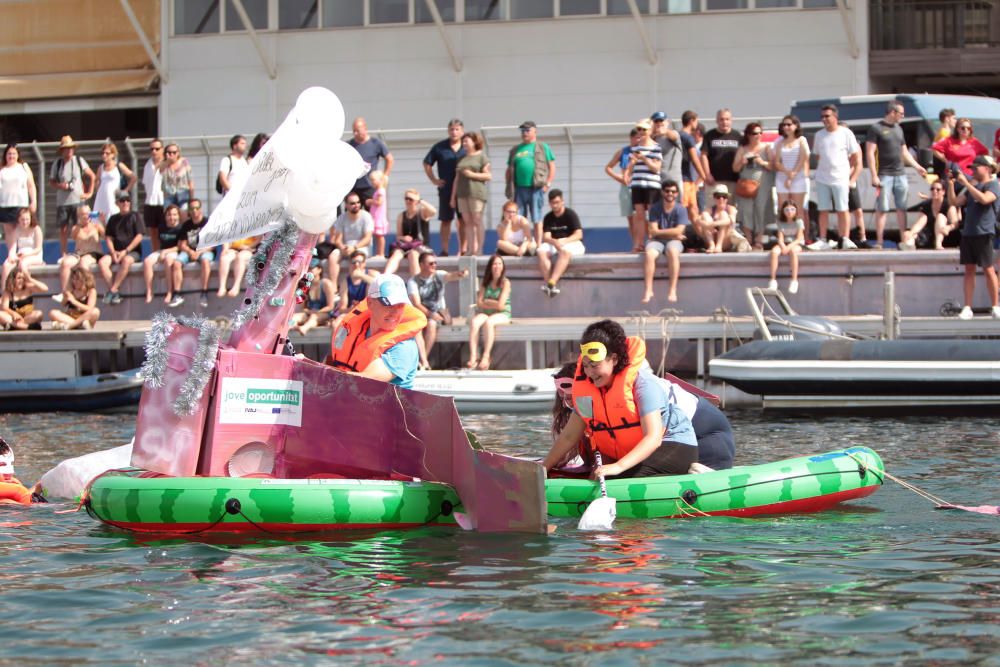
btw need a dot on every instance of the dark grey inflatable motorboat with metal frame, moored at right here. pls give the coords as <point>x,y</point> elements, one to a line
<point>807,362</point>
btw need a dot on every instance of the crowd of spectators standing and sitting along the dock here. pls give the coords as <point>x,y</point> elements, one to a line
<point>682,189</point>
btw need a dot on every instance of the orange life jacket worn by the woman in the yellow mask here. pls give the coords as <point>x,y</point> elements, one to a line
<point>612,418</point>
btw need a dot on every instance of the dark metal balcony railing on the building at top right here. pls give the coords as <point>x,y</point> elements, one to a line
<point>937,24</point>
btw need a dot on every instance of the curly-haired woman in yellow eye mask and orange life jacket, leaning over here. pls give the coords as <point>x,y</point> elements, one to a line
<point>622,407</point>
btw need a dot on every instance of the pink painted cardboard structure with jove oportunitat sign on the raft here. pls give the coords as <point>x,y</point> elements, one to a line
<point>292,418</point>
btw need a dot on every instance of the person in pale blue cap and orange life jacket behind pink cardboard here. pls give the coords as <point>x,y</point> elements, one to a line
<point>376,339</point>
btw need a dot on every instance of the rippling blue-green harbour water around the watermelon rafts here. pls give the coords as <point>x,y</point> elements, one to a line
<point>886,580</point>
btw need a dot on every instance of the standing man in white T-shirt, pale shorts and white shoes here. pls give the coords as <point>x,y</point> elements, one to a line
<point>839,156</point>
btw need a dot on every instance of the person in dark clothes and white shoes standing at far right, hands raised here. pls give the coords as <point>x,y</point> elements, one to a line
<point>981,201</point>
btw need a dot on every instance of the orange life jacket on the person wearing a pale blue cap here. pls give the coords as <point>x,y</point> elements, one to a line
<point>351,350</point>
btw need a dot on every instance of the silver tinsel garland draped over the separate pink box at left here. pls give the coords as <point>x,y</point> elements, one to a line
<point>155,366</point>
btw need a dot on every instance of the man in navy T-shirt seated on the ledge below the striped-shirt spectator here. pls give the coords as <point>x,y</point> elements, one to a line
<point>667,228</point>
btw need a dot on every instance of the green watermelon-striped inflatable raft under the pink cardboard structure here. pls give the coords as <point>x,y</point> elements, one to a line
<point>140,501</point>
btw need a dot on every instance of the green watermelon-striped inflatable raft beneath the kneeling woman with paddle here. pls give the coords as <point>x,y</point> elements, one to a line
<point>803,484</point>
